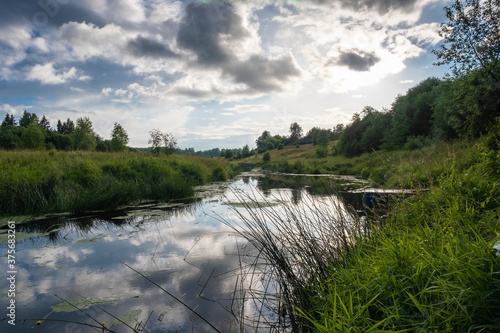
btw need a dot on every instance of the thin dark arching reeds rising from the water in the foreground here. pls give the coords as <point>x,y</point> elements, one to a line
<point>299,242</point>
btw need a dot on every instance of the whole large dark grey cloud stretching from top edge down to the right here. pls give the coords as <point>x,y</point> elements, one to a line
<point>208,27</point>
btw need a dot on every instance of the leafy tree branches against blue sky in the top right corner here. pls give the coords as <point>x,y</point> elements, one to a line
<point>471,37</point>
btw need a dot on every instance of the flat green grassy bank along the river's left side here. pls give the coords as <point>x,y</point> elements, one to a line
<point>50,181</point>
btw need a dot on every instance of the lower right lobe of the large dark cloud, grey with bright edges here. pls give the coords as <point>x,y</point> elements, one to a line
<point>261,74</point>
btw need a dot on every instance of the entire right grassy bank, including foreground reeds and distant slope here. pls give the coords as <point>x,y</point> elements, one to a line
<point>430,264</point>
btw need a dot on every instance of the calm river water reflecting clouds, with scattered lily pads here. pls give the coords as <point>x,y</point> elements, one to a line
<point>184,248</point>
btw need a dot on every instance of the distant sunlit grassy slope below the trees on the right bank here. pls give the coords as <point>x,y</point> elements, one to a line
<point>407,169</point>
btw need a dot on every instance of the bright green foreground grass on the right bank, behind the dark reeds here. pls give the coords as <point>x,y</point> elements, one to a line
<point>431,267</point>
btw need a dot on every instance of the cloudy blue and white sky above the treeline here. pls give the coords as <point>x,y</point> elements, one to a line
<point>212,73</point>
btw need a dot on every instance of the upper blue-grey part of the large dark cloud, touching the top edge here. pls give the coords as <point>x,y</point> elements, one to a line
<point>201,28</point>
